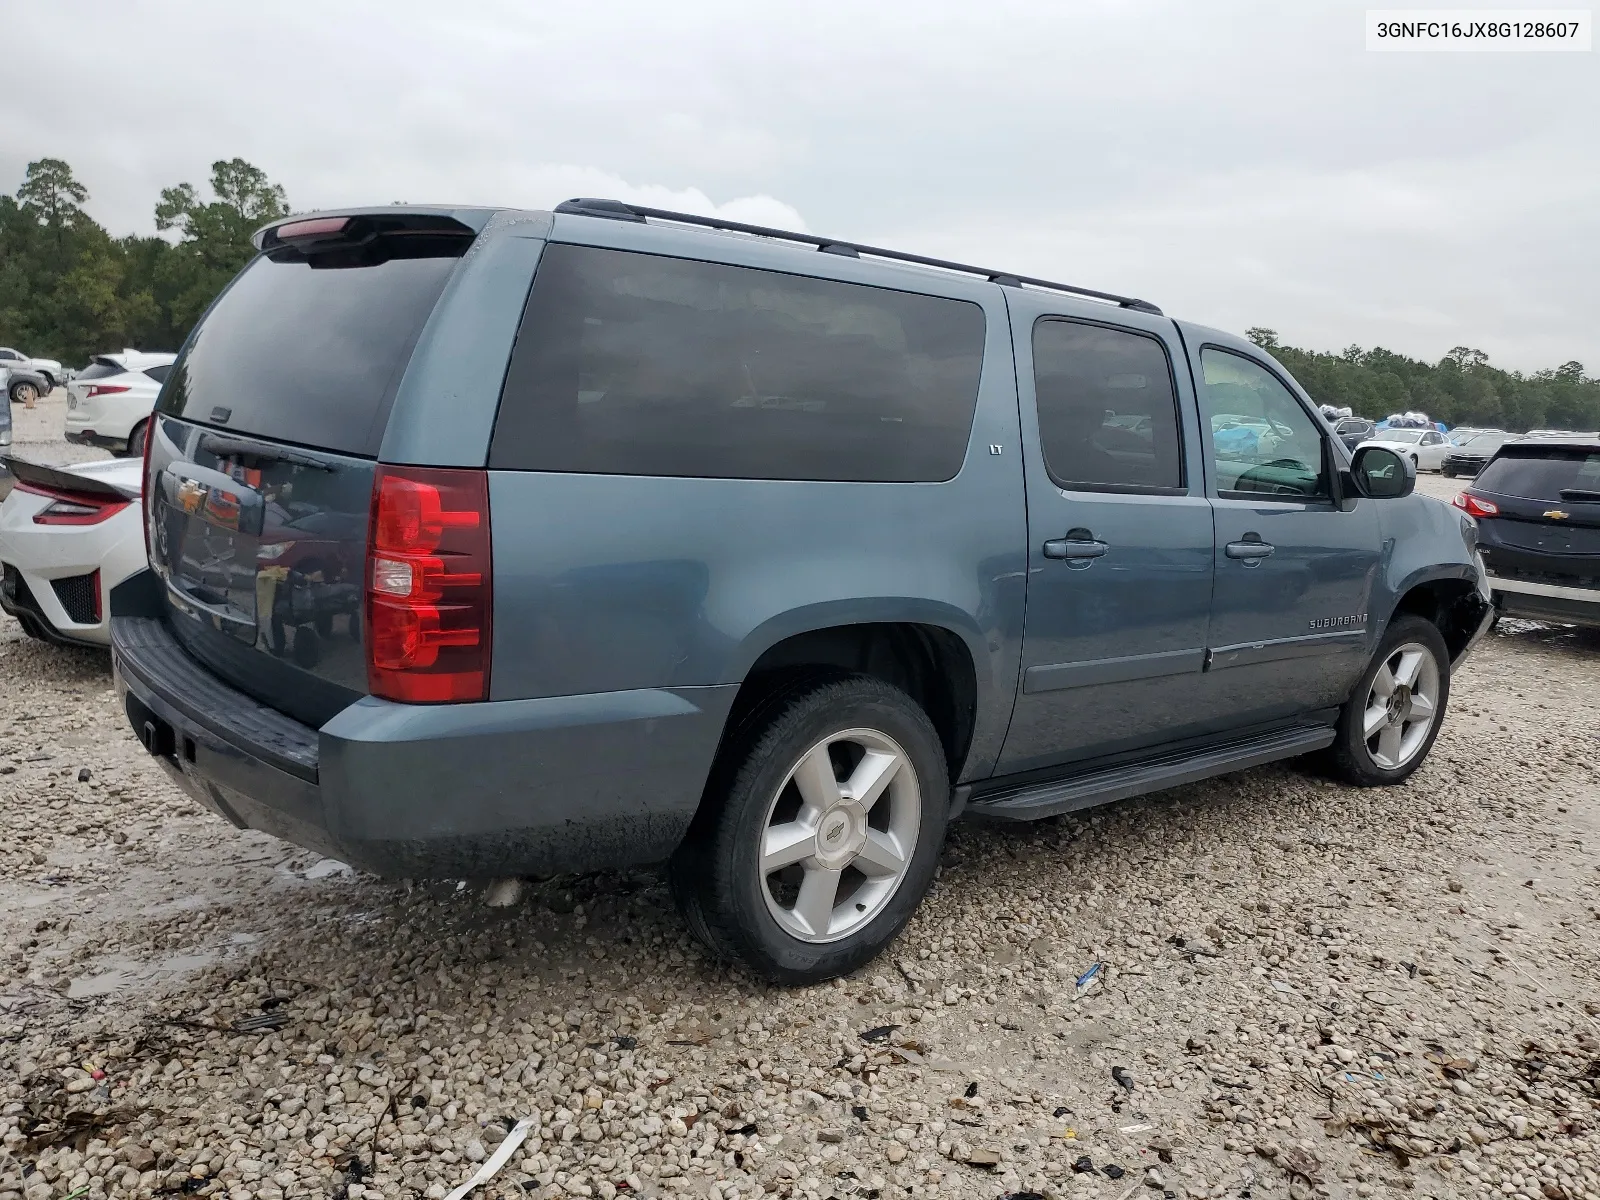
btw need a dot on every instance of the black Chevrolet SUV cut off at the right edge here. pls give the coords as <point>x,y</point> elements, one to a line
<point>1538,511</point>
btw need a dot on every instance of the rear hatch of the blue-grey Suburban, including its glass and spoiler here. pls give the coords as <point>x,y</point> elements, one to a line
<point>260,476</point>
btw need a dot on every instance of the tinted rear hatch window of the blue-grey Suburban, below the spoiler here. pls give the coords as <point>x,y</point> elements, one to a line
<point>313,351</point>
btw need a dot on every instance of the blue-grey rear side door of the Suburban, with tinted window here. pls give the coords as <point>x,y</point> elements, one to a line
<point>1121,546</point>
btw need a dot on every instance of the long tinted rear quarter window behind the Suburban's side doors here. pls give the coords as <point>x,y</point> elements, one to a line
<point>644,366</point>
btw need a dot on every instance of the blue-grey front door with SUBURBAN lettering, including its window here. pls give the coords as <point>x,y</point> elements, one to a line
<point>1295,564</point>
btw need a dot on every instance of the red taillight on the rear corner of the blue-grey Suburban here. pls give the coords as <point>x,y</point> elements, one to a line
<point>430,593</point>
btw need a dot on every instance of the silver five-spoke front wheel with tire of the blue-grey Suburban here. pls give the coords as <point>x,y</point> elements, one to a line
<point>1393,718</point>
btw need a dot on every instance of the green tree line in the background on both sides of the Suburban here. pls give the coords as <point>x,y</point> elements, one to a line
<point>71,290</point>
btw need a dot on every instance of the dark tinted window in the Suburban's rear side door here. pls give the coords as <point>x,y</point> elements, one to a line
<point>1108,414</point>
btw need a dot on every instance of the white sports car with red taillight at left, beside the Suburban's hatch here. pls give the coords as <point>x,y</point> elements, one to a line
<point>68,537</point>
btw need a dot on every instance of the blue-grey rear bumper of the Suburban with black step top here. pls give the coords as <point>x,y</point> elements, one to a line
<point>450,791</point>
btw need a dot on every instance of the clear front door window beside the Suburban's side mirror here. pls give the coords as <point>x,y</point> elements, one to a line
<point>1263,441</point>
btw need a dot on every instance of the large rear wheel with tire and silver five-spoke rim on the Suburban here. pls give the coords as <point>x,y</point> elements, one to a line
<point>818,834</point>
